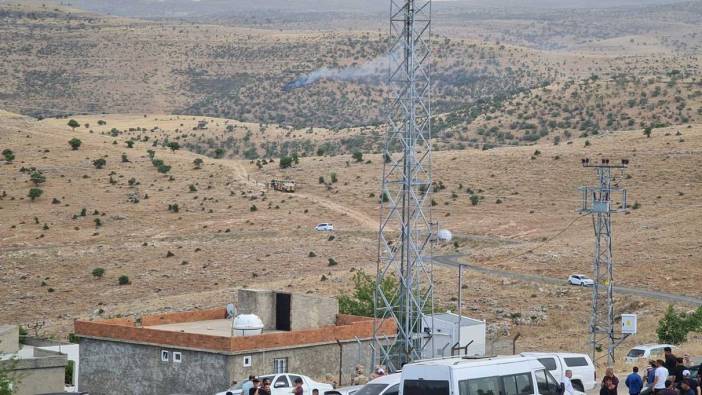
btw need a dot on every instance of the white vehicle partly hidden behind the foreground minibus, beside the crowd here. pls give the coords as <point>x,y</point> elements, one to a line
<point>584,375</point>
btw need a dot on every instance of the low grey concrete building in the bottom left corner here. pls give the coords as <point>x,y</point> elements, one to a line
<point>32,370</point>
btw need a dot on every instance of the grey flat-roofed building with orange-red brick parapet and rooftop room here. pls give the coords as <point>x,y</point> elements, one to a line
<point>196,353</point>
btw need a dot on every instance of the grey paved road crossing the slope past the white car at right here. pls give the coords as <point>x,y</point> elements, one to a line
<point>454,260</point>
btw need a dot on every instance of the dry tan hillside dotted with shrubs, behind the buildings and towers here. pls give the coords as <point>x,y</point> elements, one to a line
<point>215,241</point>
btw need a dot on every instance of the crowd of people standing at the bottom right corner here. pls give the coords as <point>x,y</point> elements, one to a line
<point>669,376</point>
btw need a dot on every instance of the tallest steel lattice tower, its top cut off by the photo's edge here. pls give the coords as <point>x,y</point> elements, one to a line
<point>405,216</point>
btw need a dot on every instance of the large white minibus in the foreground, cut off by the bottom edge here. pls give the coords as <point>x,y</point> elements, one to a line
<point>513,375</point>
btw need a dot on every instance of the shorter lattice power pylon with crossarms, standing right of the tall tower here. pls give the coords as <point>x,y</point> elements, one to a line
<point>598,202</point>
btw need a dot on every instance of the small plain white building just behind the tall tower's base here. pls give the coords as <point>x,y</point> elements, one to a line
<point>469,340</point>
